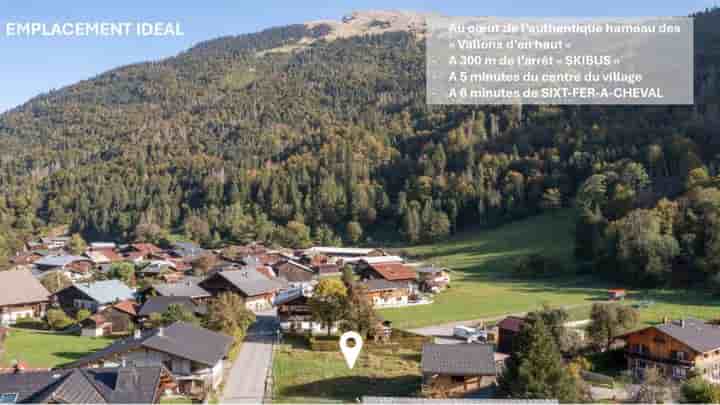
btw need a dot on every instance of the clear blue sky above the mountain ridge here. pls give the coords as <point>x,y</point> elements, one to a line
<point>31,65</point>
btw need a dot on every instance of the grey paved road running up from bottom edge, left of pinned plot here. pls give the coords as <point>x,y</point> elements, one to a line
<point>246,380</point>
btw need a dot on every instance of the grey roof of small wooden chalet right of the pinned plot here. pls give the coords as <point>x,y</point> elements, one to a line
<point>458,360</point>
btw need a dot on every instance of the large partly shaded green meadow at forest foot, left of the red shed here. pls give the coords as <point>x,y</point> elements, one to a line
<point>481,282</point>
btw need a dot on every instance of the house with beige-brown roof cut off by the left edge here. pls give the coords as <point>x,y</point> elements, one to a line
<point>22,297</point>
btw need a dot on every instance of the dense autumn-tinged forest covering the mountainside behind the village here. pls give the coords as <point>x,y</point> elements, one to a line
<point>275,138</point>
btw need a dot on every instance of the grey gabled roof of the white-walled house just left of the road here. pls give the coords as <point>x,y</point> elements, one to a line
<point>179,339</point>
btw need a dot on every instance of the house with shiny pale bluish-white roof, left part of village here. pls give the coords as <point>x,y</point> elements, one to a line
<point>94,296</point>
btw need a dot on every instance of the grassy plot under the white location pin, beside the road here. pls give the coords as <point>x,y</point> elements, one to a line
<point>301,375</point>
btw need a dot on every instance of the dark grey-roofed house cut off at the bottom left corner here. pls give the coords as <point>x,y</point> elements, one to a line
<point>126,385</point>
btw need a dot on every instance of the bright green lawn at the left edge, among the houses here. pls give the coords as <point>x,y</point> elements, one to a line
<point>43,349</point>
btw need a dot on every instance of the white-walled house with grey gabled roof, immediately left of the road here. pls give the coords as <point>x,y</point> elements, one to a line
<point>194,355</point>
